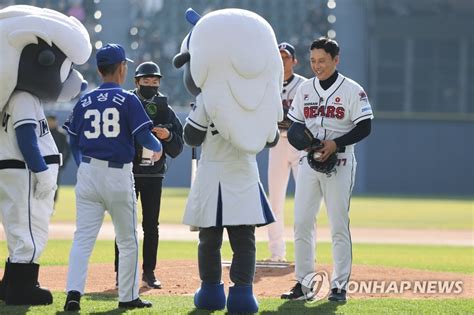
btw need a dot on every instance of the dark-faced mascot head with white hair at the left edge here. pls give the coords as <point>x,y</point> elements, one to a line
<point>39,47</point>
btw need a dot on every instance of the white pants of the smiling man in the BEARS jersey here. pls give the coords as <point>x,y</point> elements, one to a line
<point>311,188</point>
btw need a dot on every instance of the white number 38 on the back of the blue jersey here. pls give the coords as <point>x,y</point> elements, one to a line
<point>106,123</point>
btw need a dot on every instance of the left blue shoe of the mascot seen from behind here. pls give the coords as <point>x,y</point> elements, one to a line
<point>210,296</point>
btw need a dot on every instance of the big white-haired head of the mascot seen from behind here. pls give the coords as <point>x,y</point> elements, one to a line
<point>231,57</point>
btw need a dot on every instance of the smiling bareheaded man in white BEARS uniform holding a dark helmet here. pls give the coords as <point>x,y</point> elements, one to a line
<point>334,110</point>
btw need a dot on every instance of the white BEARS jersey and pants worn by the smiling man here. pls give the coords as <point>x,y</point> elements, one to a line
<point>329,114</point>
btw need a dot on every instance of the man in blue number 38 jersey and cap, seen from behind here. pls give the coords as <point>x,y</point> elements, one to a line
<point>102,129</point>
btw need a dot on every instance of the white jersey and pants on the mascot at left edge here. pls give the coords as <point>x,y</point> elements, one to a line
<point>25,218</point>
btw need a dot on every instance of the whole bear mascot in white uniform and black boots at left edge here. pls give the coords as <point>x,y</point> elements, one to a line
<point>39,47</point>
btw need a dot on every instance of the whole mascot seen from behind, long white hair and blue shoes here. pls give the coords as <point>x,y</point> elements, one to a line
<point>233,67</point>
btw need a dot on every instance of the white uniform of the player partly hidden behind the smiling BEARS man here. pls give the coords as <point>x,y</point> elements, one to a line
<point>281,159</point>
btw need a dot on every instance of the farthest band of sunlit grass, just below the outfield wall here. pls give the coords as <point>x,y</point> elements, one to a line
<point>371,212</point>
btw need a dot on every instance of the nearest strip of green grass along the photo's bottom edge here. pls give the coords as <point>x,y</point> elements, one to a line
<point>107,304</point>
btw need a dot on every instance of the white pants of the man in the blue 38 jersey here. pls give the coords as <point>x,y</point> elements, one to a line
<point>100,187</point>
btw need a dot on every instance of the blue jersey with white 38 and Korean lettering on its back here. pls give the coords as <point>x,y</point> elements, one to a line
<point>105,120</point>
